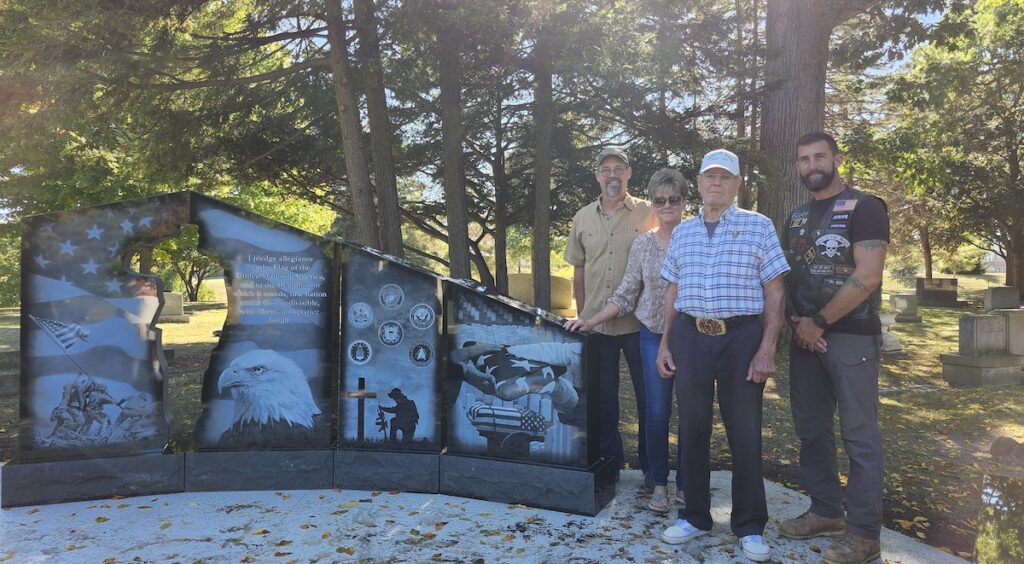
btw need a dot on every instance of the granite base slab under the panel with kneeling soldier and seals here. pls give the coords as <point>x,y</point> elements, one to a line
<point>377,470</point>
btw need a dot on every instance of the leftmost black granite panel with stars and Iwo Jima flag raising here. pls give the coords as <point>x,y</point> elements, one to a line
<point>93,374</point>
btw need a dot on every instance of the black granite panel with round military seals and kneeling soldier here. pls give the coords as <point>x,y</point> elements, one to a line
<point>391,367</point>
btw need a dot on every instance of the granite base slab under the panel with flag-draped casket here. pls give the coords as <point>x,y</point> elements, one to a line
<point>583,492</point>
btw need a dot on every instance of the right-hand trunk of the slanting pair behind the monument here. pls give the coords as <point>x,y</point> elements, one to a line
<point>381,139</point>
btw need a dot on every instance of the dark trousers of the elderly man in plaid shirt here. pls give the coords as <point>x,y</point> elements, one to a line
<point>704,363</point>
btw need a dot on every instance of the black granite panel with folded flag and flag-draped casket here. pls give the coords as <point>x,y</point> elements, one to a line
<point>517,384</point>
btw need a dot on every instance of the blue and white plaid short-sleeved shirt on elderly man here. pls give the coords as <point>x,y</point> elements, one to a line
<point>722,277</point>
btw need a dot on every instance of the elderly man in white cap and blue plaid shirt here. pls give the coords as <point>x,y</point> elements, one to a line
<point>723,312</point>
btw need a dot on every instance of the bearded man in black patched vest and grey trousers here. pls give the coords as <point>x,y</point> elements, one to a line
<point>836,245</point>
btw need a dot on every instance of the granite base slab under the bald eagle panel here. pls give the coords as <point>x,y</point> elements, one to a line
<point>260,470</point>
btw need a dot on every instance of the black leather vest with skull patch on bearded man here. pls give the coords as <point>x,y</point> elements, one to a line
<point>822,257</point>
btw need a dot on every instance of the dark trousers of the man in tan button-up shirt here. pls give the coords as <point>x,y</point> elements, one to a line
<point>604,362</point>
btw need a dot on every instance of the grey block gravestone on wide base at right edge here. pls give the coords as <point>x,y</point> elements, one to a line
<point>984,358</point>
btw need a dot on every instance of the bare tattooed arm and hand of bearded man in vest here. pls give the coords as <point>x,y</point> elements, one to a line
<point>870,257</point>
